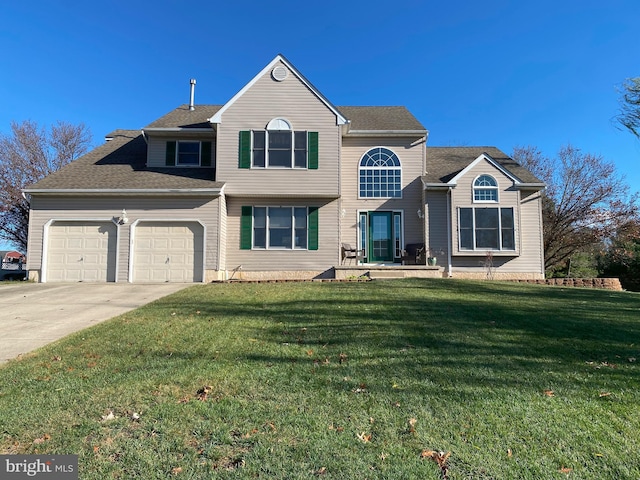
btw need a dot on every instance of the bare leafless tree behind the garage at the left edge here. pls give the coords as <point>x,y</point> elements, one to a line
<point>27,155</point>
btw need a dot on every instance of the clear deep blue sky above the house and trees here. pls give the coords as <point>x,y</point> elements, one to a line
<point>500,73</point>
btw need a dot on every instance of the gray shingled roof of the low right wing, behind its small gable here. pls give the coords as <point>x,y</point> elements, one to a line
<point>444,163</point>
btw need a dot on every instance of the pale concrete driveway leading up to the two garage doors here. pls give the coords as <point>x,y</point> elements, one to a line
<point>35,314</point>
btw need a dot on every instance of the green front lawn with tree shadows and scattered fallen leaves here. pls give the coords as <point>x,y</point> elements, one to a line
<point>324,380</point>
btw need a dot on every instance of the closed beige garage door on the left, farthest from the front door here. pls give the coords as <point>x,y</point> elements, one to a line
<point>81,252</point>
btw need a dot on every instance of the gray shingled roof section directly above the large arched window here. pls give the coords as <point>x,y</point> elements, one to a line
<point>380,118</point>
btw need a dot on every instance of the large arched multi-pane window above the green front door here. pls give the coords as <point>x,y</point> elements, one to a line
<point>380,174</point>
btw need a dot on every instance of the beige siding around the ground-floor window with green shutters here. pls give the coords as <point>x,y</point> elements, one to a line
<point>277,260</point>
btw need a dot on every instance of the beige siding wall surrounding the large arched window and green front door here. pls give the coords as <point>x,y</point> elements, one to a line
<point>410,151</point>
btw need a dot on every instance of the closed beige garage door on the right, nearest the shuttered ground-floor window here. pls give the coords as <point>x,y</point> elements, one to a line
<point>168,252</point>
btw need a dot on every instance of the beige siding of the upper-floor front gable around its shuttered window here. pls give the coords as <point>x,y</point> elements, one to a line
<point>293,101</point>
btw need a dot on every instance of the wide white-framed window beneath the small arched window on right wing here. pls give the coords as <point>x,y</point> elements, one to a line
<point>486,229</point>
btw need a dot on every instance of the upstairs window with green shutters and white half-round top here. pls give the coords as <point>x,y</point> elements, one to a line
<point>279,146</point>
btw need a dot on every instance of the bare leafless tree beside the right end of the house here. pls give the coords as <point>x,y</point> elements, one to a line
<point>585,201</point>
